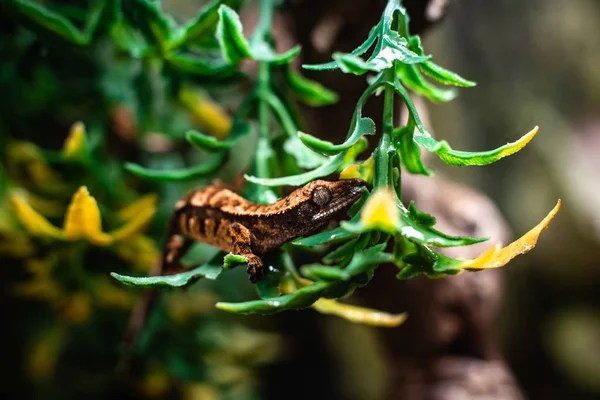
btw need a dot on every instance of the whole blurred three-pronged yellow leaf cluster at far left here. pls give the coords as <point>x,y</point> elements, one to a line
<point>82,220</point>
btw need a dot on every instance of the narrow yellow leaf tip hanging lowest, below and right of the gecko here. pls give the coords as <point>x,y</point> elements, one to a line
<point>359,315</point>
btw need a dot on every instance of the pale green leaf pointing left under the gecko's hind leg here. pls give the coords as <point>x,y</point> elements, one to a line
<point>208,271</point>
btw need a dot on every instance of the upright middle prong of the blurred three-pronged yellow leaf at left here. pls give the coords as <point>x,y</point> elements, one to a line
<point>83,219</point>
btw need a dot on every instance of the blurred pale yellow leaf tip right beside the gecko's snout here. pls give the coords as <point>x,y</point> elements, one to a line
<point>380,211</point>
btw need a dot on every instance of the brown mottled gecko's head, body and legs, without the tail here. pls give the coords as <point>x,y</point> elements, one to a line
<point>220,217</point>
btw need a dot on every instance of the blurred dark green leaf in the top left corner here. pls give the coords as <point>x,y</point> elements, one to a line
<point>58,24</point>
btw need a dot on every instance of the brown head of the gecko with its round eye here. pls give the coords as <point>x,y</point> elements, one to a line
<point>325,198</point>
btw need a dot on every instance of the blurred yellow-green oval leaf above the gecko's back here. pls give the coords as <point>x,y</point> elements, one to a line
<point>206,113</point>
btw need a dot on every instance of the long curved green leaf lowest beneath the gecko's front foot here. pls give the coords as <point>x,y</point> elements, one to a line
<point>299,299</point>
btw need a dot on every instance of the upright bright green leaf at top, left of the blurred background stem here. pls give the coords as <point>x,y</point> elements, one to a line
<point>230,35</point>
